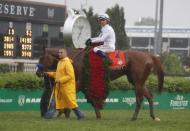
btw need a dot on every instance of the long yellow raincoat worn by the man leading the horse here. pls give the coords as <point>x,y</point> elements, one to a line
<point>65,91</point>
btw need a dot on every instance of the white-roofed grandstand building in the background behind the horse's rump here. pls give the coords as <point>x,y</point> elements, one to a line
<point>175,39</point>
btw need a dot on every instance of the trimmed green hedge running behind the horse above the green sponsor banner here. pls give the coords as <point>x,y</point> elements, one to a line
<point>31,81</point>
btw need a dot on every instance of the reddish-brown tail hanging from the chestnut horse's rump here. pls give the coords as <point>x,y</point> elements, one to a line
<point>158,69</point>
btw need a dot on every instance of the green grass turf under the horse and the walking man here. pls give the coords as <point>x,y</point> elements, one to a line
<point>112,120</point>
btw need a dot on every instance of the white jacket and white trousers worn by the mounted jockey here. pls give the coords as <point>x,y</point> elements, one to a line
<point>107,36</point>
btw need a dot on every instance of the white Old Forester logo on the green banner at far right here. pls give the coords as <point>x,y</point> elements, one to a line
<point>179,102</point>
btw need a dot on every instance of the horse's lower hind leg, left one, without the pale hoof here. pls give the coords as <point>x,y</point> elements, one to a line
<point>139,99</point>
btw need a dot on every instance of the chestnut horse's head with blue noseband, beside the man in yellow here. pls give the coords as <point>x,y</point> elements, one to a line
<point>46,63</point>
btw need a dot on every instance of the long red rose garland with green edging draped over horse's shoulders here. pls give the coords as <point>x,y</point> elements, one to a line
<point>96,81</point>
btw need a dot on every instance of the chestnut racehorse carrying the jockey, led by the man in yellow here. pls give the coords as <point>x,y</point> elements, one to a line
<point>138,67</point>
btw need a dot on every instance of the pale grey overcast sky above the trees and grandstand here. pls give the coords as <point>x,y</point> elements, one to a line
<point>176,12</point>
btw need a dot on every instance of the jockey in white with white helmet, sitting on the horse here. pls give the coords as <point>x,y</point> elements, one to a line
<point>107,37</point>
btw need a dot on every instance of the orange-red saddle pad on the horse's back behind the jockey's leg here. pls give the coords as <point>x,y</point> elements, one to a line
<point>117,57</point>
